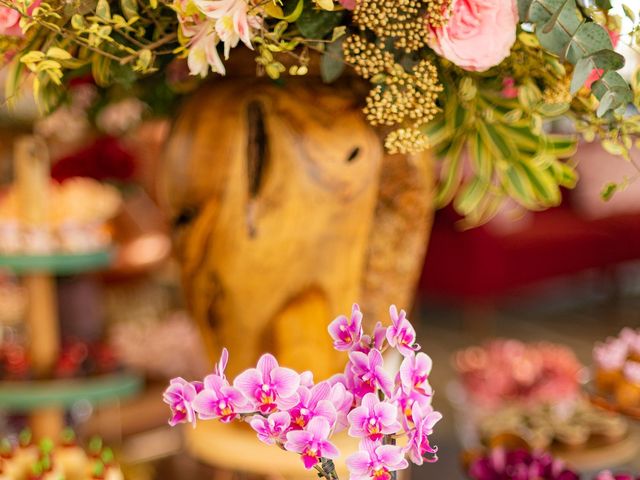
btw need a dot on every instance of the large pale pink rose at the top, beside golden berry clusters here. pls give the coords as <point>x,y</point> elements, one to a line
<point>478,35</point>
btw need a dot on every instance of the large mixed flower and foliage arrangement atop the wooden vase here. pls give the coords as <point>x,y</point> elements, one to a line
<point>473,80</point>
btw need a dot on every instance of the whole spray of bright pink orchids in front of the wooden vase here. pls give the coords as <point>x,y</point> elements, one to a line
<point>391,414</point>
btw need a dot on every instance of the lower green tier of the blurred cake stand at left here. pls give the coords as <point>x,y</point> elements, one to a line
<point>27,396</point>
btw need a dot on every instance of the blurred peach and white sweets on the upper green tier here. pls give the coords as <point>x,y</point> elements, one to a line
<point>77,216</point>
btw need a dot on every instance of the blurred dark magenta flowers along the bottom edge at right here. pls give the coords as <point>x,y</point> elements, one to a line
<point>500,464</point>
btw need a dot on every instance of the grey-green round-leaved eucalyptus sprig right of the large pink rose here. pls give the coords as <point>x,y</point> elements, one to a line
<point>563,30</point>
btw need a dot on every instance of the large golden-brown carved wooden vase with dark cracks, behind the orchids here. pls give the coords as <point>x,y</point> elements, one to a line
<point>287,210</point>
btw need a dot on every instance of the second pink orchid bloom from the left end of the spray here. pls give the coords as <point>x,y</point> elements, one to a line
<point>219,400</point>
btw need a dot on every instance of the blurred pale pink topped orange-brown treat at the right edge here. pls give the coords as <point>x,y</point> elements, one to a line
<point>617,368</point>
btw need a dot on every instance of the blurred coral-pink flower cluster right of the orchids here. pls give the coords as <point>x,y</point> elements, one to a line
<point>505,372</point>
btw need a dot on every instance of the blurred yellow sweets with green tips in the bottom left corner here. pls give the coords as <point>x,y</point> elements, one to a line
<point>49,461</point>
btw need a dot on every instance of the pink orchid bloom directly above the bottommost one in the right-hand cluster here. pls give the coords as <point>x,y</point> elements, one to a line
<point>373,418</point>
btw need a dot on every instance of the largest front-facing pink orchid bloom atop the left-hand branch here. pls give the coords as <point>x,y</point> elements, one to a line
<point>269,386</point>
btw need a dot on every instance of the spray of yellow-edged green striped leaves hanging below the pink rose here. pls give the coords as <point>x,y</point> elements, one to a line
<point>492,148</point>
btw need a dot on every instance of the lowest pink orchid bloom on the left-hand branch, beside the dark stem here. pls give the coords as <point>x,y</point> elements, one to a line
<point>312,443</point>
